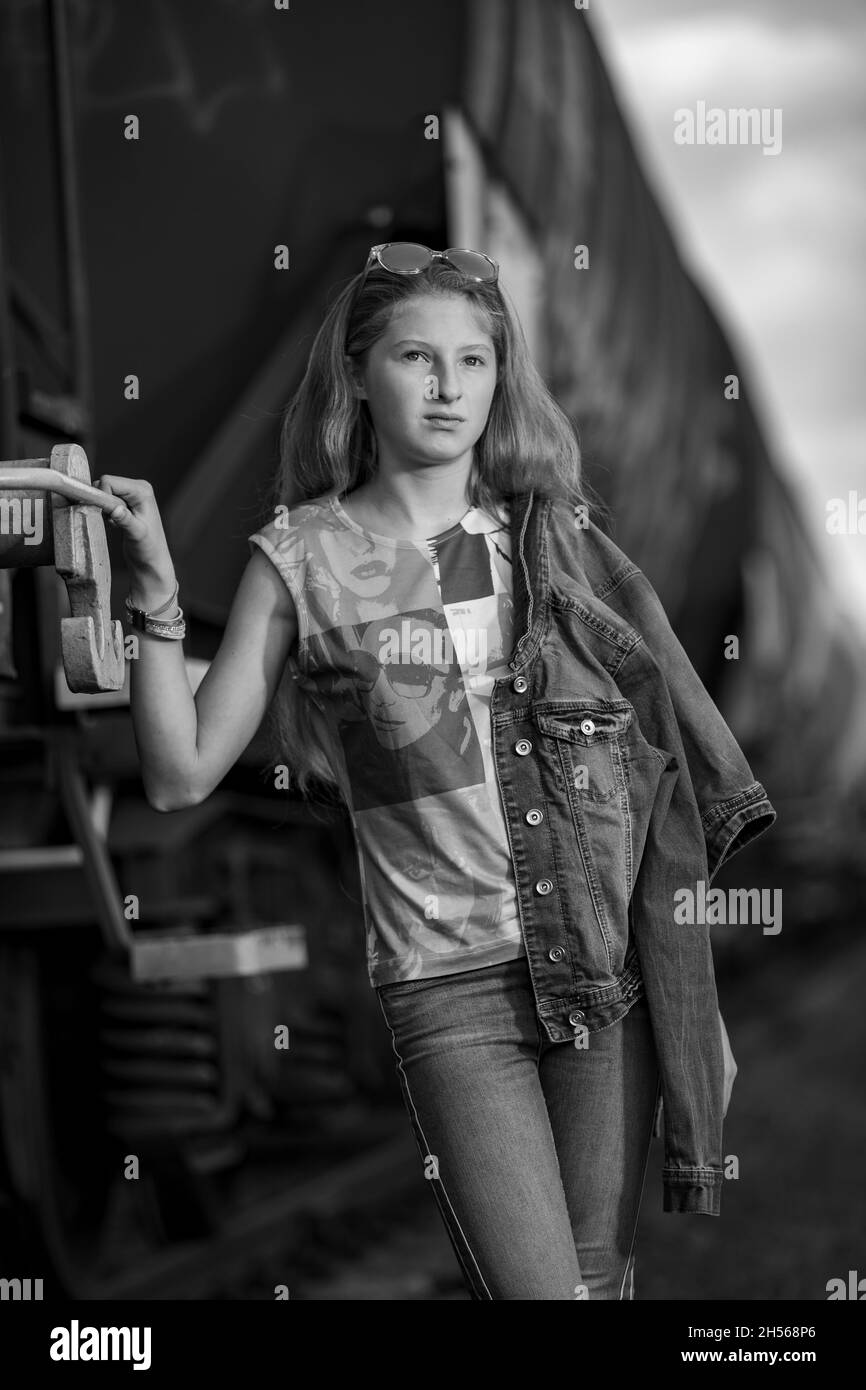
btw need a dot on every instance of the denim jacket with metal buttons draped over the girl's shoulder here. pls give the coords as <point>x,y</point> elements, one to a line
<point>621,785</point>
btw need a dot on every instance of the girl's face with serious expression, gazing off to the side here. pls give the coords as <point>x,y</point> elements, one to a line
<point>430,337</point>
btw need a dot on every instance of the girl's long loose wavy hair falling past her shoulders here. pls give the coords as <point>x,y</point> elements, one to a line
<point>329,445</point>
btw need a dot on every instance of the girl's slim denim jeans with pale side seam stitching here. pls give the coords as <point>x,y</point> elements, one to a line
<point>536,1152</point>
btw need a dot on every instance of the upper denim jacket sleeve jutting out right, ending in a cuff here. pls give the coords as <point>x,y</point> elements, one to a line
<point>735,807</point>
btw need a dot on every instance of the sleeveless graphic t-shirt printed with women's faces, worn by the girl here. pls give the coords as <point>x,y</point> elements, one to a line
<point>400,646</point>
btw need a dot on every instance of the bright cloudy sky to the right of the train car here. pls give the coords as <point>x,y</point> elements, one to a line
<point>778,241</point>
